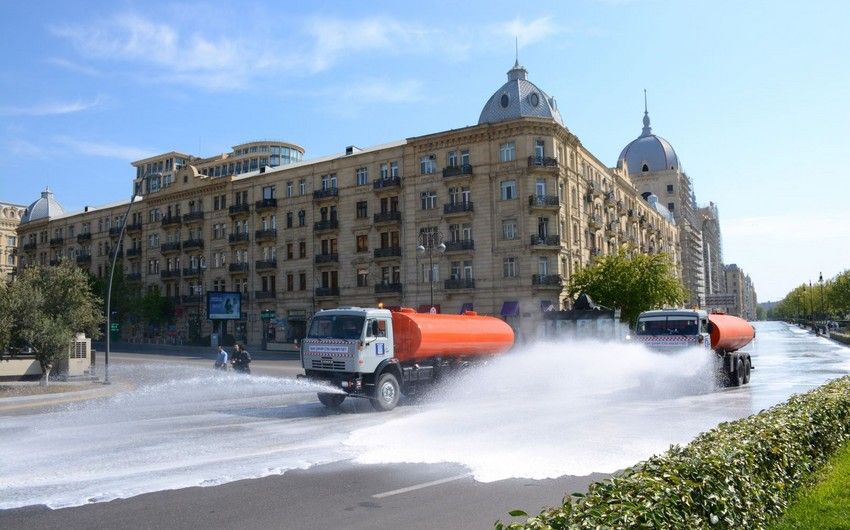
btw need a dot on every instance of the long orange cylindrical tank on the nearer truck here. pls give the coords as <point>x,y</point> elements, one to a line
<point>423,335</point>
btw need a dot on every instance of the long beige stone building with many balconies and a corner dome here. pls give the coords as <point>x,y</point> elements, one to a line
<point>518,203</point>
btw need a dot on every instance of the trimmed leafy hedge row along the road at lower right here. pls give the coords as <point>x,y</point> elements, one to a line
<point>741,474</point>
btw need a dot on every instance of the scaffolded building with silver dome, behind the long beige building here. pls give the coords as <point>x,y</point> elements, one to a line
<point>652,164</point>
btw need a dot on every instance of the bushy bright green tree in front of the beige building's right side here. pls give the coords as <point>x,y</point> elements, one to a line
<point>630,282</point>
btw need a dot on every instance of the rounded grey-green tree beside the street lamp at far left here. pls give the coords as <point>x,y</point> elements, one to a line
<point>49,305</point>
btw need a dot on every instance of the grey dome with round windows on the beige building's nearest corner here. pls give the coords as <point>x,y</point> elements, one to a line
<point>519,98</point>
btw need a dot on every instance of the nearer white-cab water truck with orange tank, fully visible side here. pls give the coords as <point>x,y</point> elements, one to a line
<point>380,354</point>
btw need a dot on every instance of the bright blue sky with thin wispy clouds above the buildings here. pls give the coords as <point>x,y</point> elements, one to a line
<point>754,97</point>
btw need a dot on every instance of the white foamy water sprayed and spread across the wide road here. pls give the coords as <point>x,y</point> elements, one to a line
<point>552,409</point>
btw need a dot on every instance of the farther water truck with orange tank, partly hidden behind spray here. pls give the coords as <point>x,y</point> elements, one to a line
<point>673,329</point>
